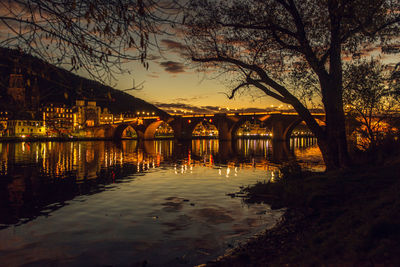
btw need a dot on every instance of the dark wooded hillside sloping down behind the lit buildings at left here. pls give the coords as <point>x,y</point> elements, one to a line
<point>57,85</point>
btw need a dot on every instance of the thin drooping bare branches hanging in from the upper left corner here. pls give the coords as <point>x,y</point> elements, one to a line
<point>96,36</point>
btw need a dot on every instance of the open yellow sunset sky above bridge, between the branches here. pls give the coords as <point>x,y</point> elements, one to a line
<point>172,83</point>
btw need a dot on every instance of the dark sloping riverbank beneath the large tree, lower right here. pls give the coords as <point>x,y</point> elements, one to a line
<point>344,218</point>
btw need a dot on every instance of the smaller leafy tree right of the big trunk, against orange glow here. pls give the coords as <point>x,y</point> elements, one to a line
<point>370,100</point>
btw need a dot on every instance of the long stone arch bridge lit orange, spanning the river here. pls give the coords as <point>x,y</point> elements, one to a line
<point>280,123</point>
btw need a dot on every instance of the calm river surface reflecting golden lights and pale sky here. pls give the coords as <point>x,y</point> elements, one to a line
<point>156,201</point>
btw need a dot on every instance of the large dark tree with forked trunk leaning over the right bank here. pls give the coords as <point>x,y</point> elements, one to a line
<point>263,42</point>
